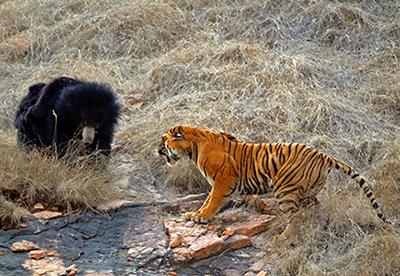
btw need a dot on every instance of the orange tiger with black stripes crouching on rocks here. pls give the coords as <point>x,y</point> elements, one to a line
<point>294,173</point>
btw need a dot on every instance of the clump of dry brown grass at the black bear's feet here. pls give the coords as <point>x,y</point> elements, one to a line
<point>33,177</point>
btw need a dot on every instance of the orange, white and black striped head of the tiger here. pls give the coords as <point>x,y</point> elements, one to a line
<point>175,144</point>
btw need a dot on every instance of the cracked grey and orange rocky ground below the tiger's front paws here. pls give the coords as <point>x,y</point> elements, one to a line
<point>126,238</point>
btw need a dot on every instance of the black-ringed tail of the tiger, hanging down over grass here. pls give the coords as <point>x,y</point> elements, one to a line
<point>341,166</point>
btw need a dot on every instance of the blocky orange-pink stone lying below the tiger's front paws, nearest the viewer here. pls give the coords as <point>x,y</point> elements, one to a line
<point>205,246</point>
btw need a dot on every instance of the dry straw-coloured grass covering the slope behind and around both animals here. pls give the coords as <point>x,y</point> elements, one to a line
<point>318,72</point>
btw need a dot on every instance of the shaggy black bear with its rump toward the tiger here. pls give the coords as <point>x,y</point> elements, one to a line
<point>54,114</point>
